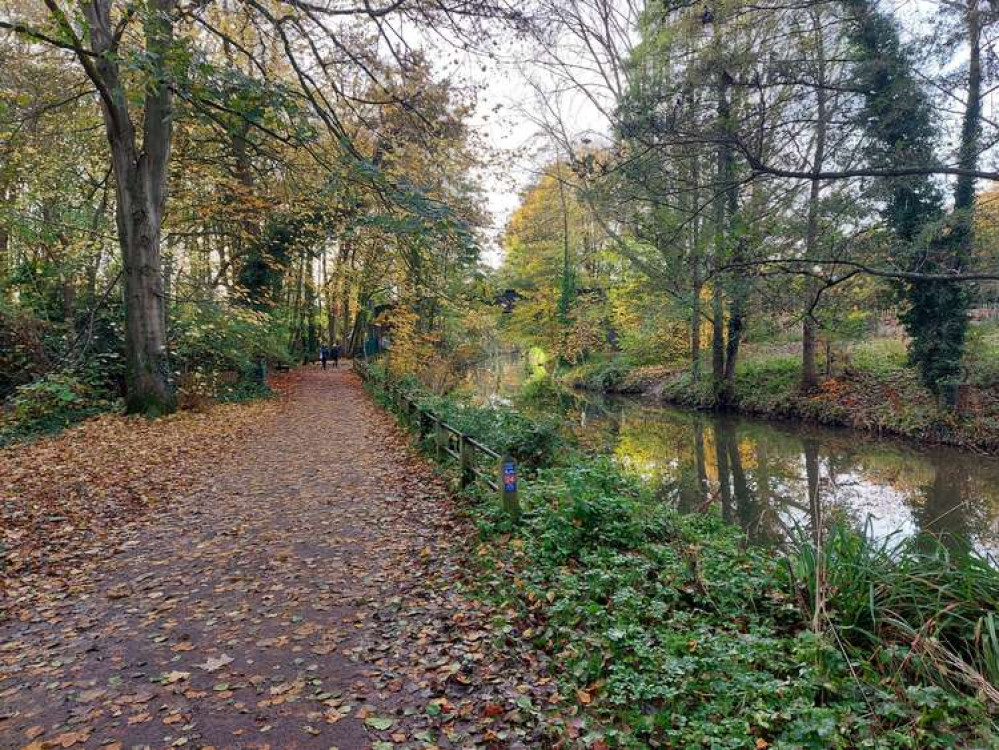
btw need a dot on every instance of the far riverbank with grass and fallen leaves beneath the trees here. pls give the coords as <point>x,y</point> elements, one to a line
<point>874,391</point>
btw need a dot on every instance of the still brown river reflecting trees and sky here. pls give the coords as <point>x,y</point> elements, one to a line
<point>776,479</point>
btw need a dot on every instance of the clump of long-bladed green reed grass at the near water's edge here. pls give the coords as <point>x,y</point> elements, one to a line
<point>915,609</point>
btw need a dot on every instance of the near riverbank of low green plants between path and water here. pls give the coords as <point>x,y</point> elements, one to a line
<point>670,631</point>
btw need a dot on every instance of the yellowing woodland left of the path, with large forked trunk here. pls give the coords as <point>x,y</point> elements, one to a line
<point>188,189</point>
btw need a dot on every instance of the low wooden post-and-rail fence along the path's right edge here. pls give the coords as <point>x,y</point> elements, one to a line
<point>453,442</point>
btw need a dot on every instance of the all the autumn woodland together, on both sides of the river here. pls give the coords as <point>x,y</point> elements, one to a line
<point>190,189</point>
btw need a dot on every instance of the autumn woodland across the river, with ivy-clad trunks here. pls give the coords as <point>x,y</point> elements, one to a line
<point>774,175</point>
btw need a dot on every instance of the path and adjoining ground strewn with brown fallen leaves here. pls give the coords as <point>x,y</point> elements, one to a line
<point>277,574</point>
